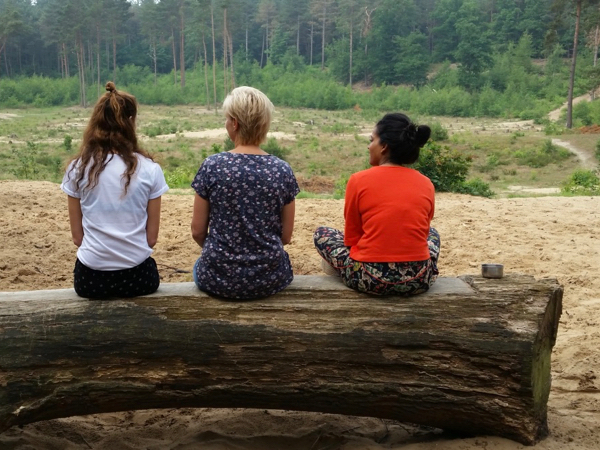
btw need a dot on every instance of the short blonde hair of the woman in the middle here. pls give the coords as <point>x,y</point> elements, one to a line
<point>253,111</point>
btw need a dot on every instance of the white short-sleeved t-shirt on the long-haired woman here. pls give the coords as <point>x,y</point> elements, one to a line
<point>114,225</point>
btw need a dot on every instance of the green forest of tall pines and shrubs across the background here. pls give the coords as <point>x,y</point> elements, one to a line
<point>496,58</point>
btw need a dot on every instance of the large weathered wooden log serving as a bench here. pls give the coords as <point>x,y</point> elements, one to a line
<point>471,355</point>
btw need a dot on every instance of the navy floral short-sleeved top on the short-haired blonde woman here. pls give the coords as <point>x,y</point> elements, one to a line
<point>243,256</point>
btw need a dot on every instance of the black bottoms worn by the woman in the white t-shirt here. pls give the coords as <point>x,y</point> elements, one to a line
<point>101,284</point>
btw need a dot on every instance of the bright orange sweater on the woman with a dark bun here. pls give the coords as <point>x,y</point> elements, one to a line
<point>388,211</point>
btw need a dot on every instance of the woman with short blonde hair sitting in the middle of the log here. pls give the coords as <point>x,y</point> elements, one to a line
<point>244,207</point>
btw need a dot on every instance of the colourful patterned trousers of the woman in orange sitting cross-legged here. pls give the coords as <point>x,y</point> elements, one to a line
<point>399,278</point>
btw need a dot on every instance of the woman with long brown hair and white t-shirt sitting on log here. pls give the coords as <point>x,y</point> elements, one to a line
<point>114,192</point>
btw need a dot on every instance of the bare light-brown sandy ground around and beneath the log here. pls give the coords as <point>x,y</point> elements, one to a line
<point>544,237</point>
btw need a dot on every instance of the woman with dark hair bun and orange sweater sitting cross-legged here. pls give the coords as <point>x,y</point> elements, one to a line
<point>388,246</point>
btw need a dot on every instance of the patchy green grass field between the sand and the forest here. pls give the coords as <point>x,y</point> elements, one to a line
<point>328,145</point>
